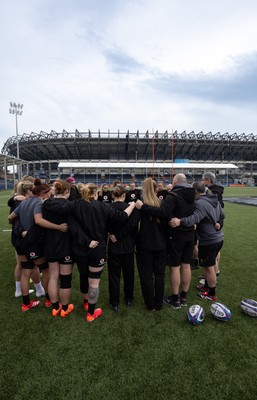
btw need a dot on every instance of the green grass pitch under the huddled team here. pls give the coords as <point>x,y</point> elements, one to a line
<point>134,354</point>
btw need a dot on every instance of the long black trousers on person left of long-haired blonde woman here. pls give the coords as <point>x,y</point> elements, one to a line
<point>116,264</point>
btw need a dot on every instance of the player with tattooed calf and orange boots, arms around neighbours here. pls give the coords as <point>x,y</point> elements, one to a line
<point>88,221</point>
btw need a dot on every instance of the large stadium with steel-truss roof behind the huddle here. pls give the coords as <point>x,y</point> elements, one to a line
<point>105,156</point>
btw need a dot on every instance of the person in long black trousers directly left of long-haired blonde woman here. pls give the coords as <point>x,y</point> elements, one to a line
<point>121,251</point>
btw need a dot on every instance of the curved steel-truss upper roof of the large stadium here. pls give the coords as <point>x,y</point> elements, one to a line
<point>134,146</point>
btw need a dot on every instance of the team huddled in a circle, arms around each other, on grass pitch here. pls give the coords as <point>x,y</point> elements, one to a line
<point>57,225</point>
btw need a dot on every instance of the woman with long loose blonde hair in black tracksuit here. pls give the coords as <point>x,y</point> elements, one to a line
<point>151,251</point>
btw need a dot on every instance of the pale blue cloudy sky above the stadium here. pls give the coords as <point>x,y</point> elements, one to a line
<point>129,65</point>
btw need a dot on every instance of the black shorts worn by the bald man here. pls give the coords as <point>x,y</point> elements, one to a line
<point>180,251</point>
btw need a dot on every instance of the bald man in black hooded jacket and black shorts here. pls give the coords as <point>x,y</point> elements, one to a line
<point>180,242</point>
